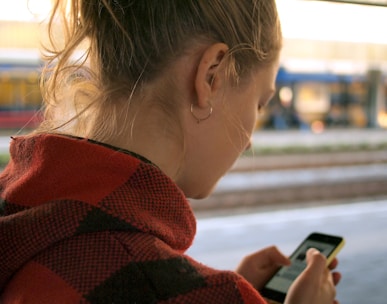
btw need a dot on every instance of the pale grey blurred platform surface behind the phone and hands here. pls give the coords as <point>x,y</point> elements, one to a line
<point>221,241</point>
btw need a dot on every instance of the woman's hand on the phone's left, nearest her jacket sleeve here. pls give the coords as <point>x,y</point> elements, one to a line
<point>258,267</point>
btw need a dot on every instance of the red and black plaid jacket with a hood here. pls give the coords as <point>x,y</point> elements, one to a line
<point>81,222</point>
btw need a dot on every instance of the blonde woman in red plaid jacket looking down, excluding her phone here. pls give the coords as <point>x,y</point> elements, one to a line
<point>158,107</point>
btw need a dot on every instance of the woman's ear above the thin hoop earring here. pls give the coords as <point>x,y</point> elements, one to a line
<point>208,76</point>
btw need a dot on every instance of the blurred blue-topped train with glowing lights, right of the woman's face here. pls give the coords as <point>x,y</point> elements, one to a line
<point>318,100</point>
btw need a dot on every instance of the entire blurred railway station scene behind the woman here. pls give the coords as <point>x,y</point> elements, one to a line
<point>319,155</point>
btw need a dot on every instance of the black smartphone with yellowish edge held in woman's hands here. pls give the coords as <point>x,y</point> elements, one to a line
<point>276,288</point>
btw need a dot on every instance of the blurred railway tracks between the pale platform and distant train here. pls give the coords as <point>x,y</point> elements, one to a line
<point>284,180</point>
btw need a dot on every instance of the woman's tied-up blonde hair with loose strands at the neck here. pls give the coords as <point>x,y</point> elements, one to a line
<point>127,44</point>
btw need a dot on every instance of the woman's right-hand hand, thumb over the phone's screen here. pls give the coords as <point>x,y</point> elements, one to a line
<point>316,284</point>
